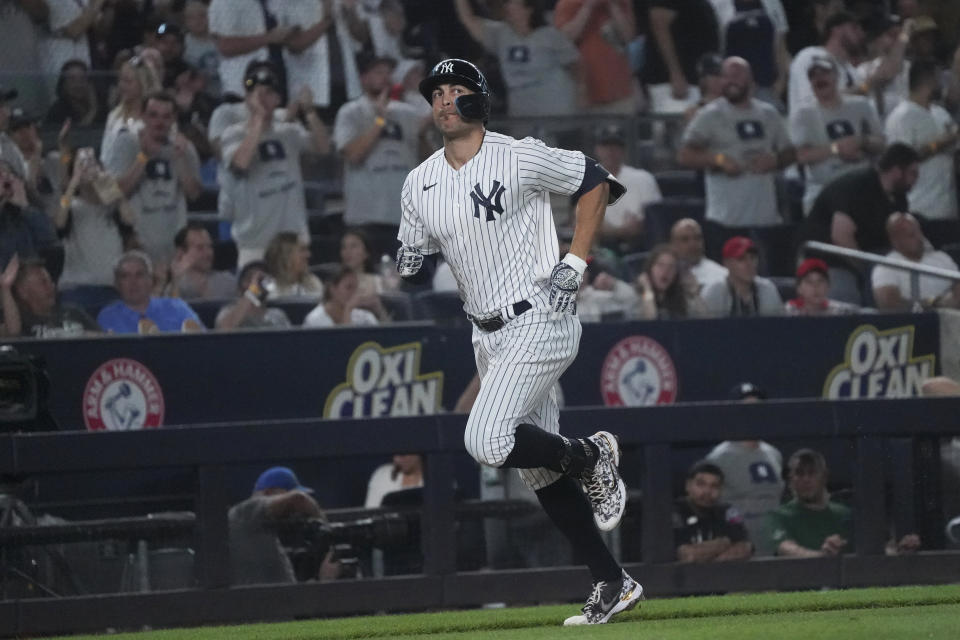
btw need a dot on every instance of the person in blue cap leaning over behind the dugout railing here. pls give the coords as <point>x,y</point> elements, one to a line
<point>256,554</point>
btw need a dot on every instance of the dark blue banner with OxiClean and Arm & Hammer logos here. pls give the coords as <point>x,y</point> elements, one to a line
<point>120,383</point>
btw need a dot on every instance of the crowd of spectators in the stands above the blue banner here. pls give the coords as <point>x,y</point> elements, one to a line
<point>228,133</point>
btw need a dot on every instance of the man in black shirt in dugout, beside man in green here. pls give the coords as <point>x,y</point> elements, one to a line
<point>704,530</point>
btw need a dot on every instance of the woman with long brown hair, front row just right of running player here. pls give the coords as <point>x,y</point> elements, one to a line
<point>666,292</point>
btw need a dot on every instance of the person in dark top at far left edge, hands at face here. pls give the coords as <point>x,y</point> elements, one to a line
<point>24,230</point>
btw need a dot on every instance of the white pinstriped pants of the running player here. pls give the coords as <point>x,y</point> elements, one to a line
<point>519,366</point>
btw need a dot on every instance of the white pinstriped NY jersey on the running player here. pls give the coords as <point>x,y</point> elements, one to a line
<point>491,219</point>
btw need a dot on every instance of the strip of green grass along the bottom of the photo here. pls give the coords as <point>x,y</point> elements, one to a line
<point>909,613</point>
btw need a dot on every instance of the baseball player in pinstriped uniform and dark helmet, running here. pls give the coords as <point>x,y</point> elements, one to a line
<point>483,202</point>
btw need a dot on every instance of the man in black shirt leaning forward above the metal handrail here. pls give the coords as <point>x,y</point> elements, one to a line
<point>852,211</point>
